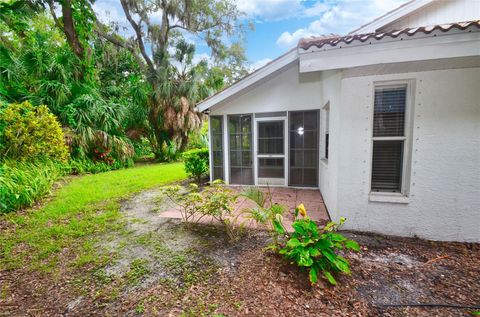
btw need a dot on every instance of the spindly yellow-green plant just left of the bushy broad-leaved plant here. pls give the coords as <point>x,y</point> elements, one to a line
<point>265,212</point>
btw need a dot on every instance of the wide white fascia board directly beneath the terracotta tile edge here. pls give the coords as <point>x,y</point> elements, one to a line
<point>393,51</point>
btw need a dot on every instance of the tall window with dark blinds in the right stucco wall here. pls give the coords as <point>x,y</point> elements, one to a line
<point>389,139</point>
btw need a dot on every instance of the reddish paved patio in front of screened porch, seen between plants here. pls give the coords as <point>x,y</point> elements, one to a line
<point>287,196</point>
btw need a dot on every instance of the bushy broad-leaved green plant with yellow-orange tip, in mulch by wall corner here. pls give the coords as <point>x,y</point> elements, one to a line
<point>317,249</point>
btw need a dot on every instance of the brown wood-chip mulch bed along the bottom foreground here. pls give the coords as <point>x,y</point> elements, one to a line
<point>389,270</point>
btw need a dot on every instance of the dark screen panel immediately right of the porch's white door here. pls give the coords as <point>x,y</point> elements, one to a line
<point>303,148</point>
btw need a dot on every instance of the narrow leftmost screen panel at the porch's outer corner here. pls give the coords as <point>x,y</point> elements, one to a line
<point>216,139</point>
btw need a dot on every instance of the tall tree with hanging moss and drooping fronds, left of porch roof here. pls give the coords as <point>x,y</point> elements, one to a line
<point>177,82</point>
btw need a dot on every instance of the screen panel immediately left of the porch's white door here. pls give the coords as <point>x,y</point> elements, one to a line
<point>240,149</point>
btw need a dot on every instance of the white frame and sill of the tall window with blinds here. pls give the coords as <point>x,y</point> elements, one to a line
<point>403,195</point>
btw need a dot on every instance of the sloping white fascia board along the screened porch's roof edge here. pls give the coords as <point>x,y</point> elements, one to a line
<point>249,80</point>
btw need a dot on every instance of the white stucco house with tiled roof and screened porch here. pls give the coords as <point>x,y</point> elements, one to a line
<point>384,121</point>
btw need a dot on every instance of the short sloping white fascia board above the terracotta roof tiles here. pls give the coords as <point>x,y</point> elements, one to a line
<point>393,16</point>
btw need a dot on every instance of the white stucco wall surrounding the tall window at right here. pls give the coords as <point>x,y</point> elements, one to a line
<point>444,200</point>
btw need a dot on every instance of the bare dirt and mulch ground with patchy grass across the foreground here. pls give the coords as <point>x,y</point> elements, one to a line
<point>160,267</point>
